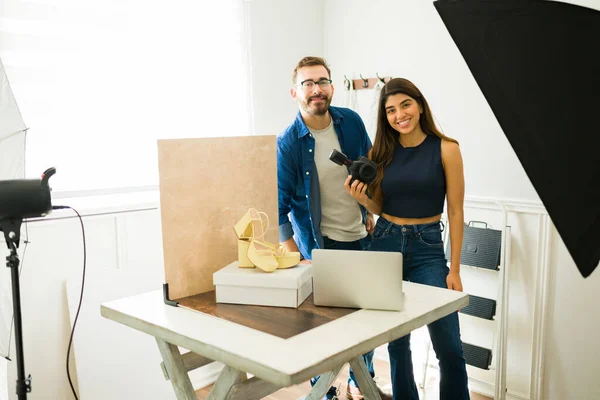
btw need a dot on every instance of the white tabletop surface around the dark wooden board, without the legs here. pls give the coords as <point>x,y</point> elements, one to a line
<point>275,359</point>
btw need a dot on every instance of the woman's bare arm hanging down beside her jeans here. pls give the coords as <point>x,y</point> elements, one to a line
<point>455,194</point>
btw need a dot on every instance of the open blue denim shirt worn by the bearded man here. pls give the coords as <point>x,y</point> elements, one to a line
<point>297,179</point>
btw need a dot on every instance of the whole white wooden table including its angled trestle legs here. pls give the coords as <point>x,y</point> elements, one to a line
<point>275,362</point>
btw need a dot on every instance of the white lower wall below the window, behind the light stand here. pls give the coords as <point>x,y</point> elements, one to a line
<point>124,247</point>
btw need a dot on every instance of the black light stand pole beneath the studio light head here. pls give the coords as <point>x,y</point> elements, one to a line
<point>11,229</point>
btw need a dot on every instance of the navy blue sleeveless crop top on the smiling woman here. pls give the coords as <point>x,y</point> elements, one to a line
<point>414,184</point>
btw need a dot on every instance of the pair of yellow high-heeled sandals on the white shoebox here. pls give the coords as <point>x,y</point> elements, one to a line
<point>254,250</point>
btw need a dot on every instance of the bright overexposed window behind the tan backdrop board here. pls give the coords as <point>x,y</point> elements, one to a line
<point>103,78</point>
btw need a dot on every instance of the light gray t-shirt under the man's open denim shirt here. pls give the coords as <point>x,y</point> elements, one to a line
<point>341,216</point>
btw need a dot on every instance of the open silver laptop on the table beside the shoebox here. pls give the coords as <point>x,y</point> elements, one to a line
<point>357,279</point>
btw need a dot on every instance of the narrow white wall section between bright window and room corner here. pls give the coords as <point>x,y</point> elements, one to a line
<point>282,32</point>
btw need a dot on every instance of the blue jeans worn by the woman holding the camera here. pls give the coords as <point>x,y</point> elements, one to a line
<point>424,262</point>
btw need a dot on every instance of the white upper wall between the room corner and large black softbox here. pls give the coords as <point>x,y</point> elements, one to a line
<point>408,39</point>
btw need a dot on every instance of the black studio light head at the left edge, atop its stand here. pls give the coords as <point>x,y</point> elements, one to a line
<point>23,198</point>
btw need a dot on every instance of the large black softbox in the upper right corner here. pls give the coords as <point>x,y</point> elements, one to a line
<point>538,66</point>
